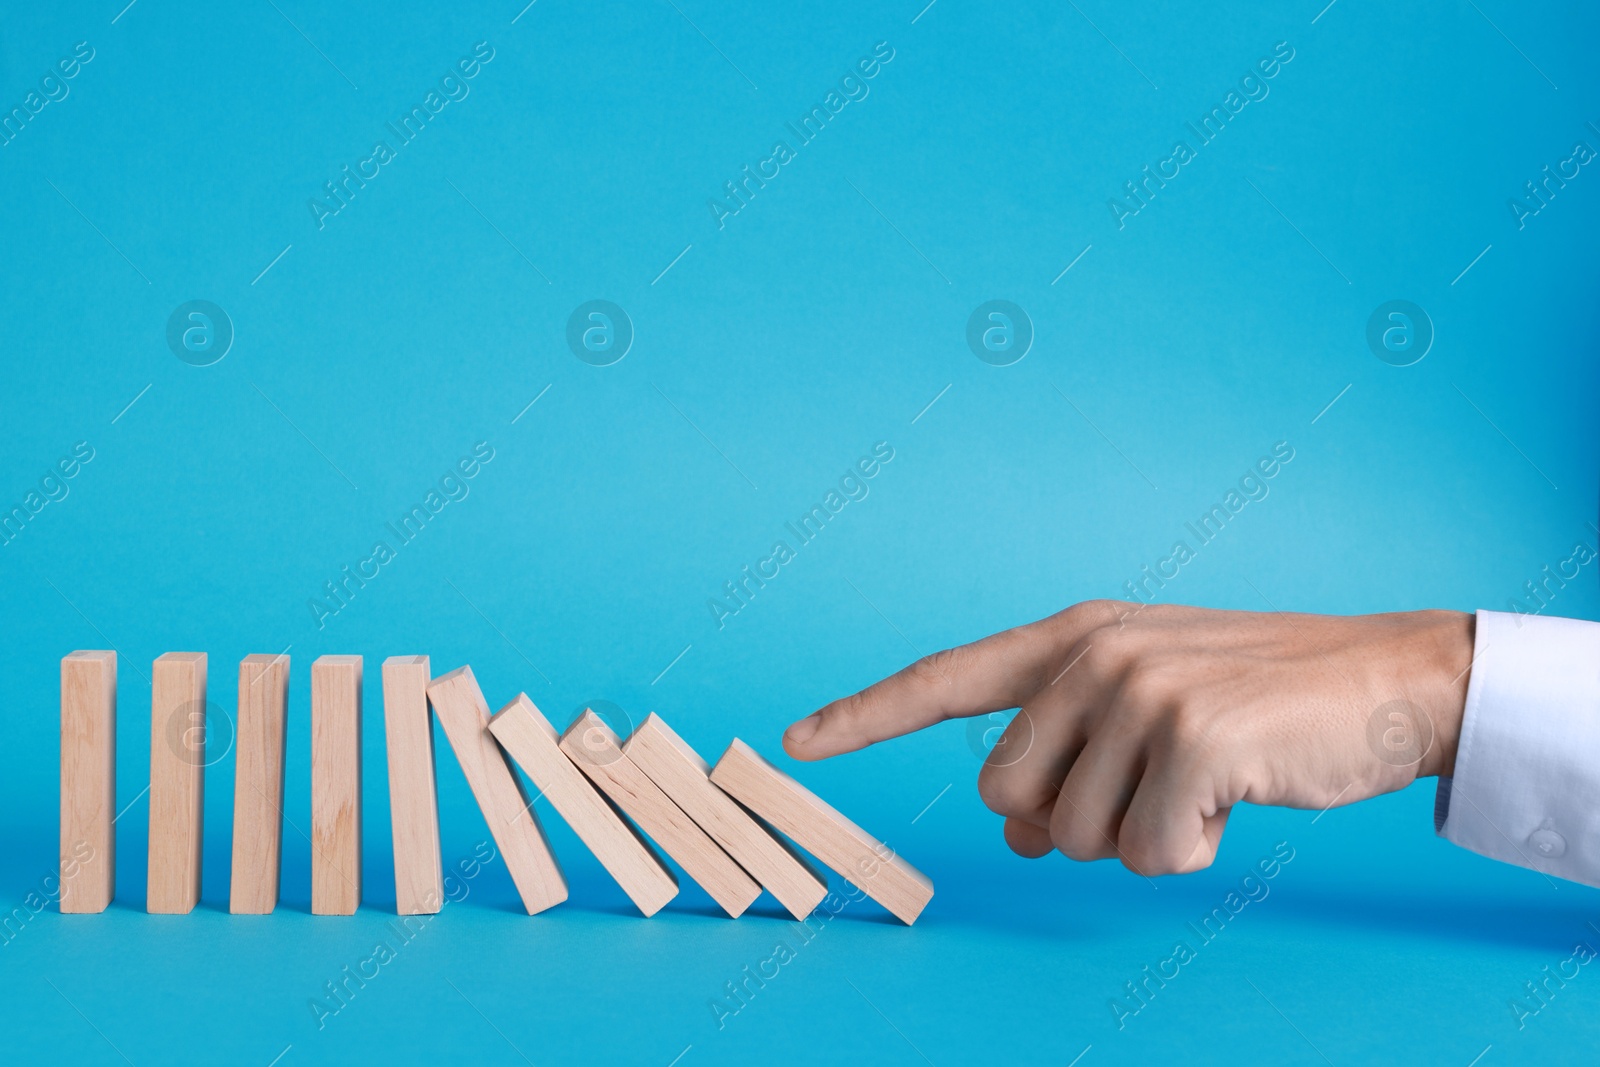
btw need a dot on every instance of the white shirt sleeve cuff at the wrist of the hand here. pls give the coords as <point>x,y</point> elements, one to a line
<point>1527,778</point>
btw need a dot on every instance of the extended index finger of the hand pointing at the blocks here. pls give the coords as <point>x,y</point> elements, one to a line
<point>990,676</point>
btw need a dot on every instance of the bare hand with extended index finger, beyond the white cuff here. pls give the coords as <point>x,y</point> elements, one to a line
<point>1140,729</point>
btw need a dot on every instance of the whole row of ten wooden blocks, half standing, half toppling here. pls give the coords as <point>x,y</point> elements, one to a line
<point>726,826</point>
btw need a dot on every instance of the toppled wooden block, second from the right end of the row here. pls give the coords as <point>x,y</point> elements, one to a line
<point>684,777</point>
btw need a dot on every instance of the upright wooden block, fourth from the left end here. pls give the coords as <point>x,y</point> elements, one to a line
<point>335,785</point>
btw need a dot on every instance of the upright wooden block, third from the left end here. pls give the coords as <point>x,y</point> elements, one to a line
<point>258,785</point>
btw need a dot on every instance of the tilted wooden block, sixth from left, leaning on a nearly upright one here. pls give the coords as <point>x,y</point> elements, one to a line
<point>458,701</point>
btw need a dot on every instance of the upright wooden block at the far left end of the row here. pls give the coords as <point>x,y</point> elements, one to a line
<point>89,781</point>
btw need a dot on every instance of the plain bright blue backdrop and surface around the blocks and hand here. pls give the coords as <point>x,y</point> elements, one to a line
<point>769,358</point>
